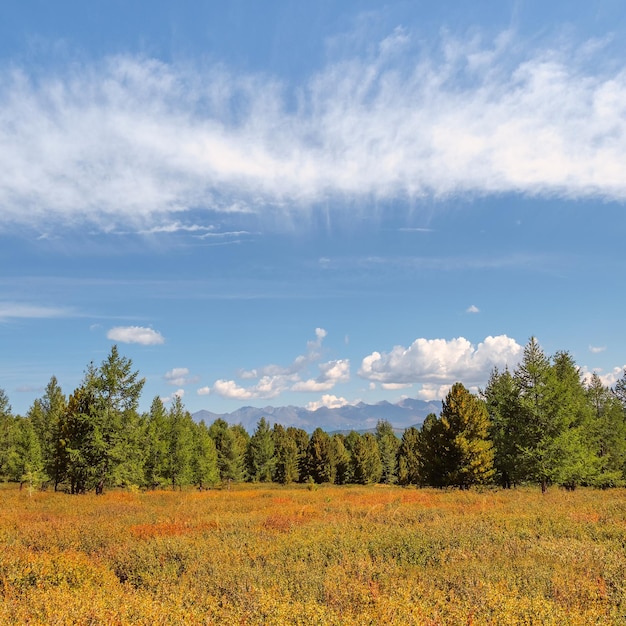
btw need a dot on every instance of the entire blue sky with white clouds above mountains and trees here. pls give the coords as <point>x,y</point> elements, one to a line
<point>309,202</point>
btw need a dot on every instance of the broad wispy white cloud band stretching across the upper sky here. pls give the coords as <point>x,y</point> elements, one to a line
<point>137,141</point>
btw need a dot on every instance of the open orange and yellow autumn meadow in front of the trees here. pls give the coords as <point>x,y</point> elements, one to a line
<point>331,555</point>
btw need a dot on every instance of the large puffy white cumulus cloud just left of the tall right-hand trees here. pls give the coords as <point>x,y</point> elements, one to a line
<point>441,361</point>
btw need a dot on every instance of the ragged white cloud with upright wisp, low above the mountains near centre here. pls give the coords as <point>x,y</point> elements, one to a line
<point>272,380</point>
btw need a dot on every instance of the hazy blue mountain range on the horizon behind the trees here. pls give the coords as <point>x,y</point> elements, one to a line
<point>359,417</point>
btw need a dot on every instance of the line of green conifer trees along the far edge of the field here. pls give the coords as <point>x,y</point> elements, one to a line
<point>541,423</point>
